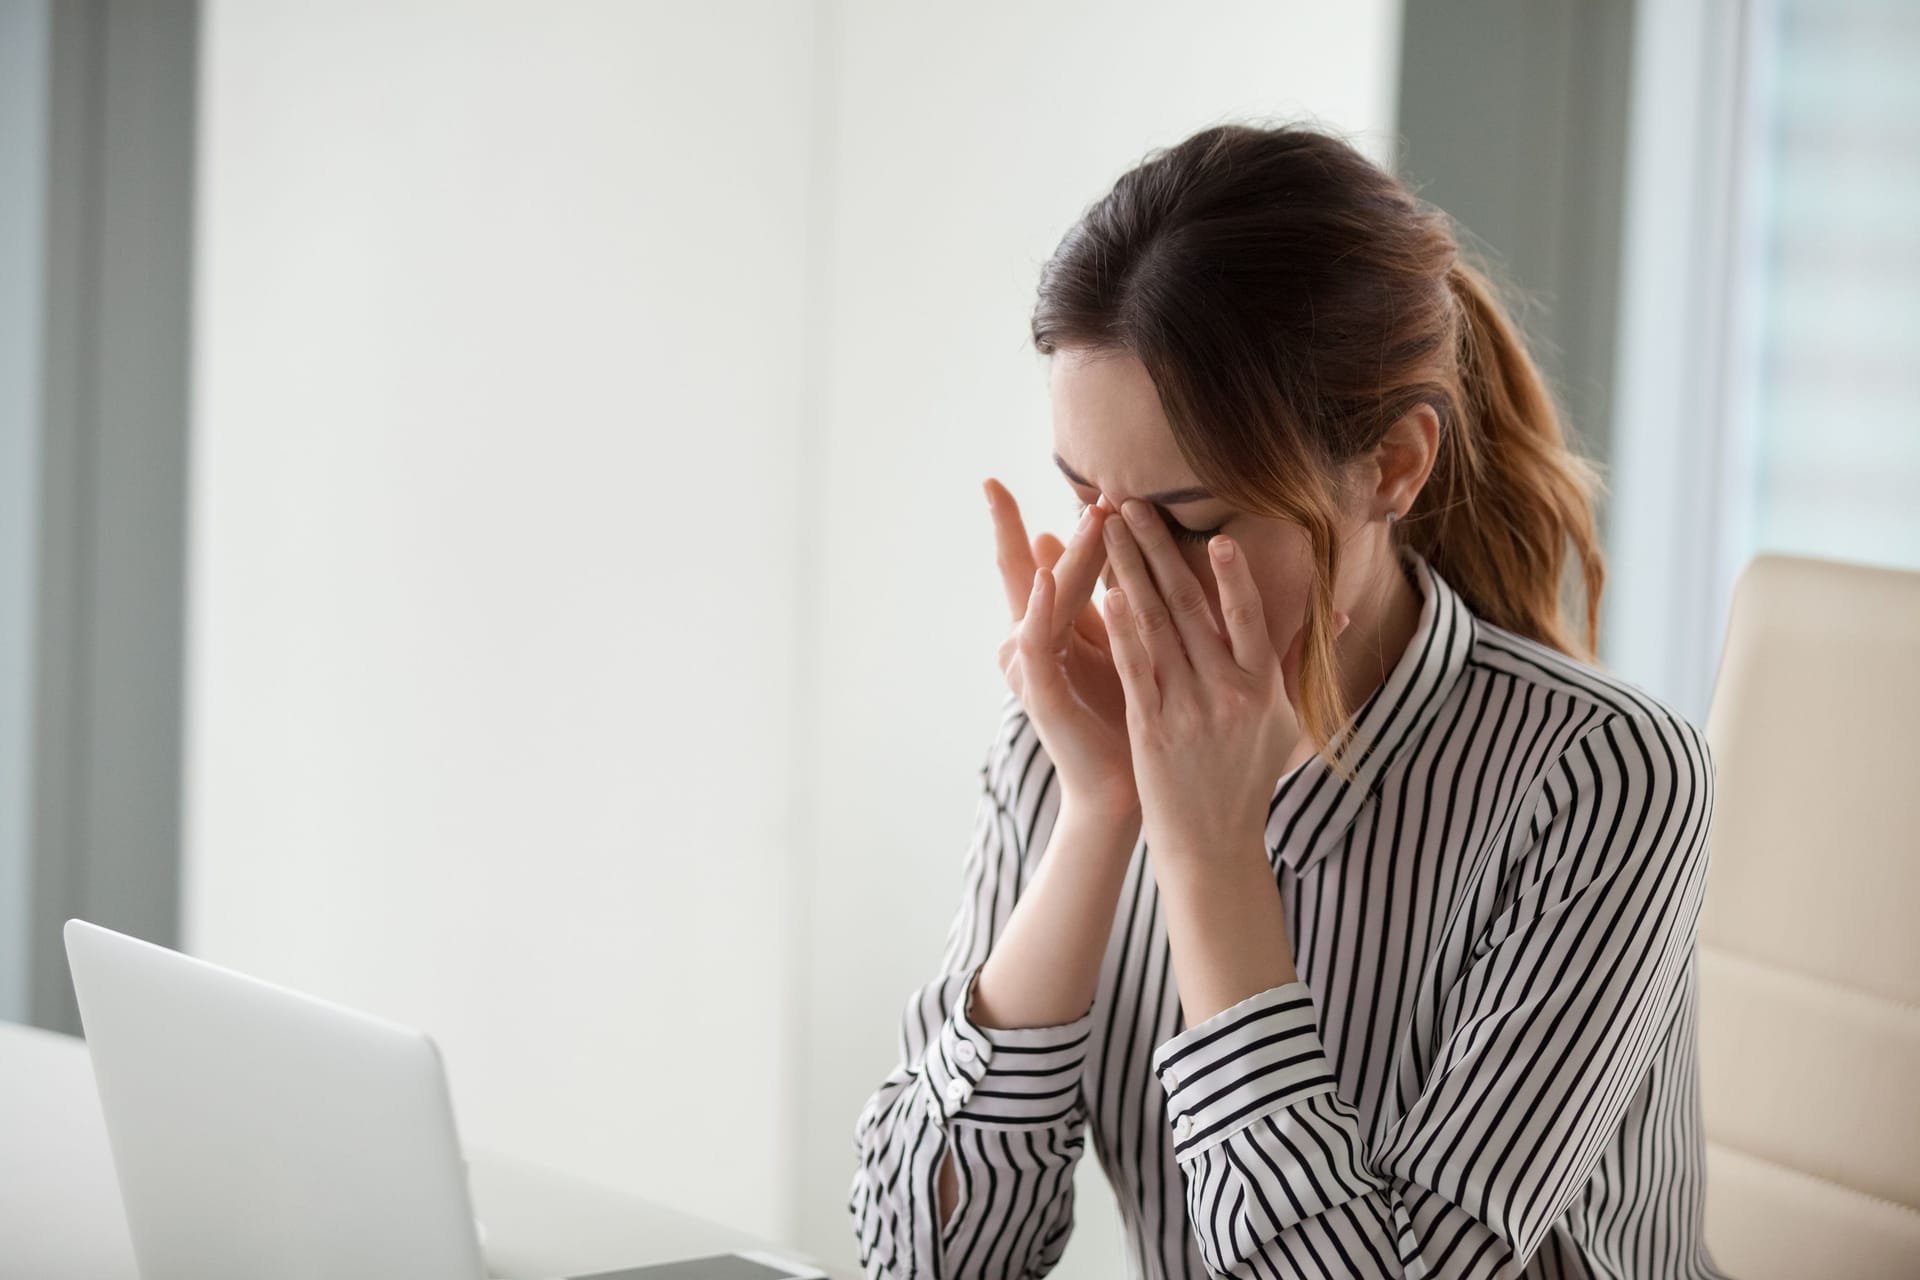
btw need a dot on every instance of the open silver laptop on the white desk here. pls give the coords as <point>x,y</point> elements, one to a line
<point>260,1131</point>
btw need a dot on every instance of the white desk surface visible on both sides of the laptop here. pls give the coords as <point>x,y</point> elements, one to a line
<point>60,1208</point>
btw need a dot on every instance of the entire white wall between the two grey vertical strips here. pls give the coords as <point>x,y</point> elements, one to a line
<point>592,596</point>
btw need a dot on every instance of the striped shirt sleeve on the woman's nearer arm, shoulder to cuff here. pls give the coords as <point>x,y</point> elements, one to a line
<point>1539,1049</point>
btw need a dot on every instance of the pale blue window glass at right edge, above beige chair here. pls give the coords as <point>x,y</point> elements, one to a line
<point>1836,412</point>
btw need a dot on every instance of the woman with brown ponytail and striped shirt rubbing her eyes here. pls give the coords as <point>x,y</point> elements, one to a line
<point>1318,872</point>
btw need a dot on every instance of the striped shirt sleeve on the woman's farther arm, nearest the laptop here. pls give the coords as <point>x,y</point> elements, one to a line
<point>1007,1102</point>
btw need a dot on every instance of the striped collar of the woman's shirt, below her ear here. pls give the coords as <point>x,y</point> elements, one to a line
<point>1314,807</point>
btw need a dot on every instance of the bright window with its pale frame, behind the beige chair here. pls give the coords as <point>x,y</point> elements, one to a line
<point>1769,346</point>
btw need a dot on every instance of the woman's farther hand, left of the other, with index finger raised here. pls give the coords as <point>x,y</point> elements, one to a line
<point>1057,657</point>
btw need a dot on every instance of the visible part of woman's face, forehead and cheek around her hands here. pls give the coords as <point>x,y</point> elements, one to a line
<point>1111,437</point>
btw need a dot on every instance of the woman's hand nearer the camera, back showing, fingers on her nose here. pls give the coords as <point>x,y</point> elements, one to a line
<point>1211,717</point>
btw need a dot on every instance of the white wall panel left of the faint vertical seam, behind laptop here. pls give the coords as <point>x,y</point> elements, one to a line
<point>500,343</point>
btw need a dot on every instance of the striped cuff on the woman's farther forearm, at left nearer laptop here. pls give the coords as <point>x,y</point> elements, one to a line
<point>1003,1076</point>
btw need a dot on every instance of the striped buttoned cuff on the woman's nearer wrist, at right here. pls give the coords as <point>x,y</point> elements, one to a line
<point>1245,1062</point>
